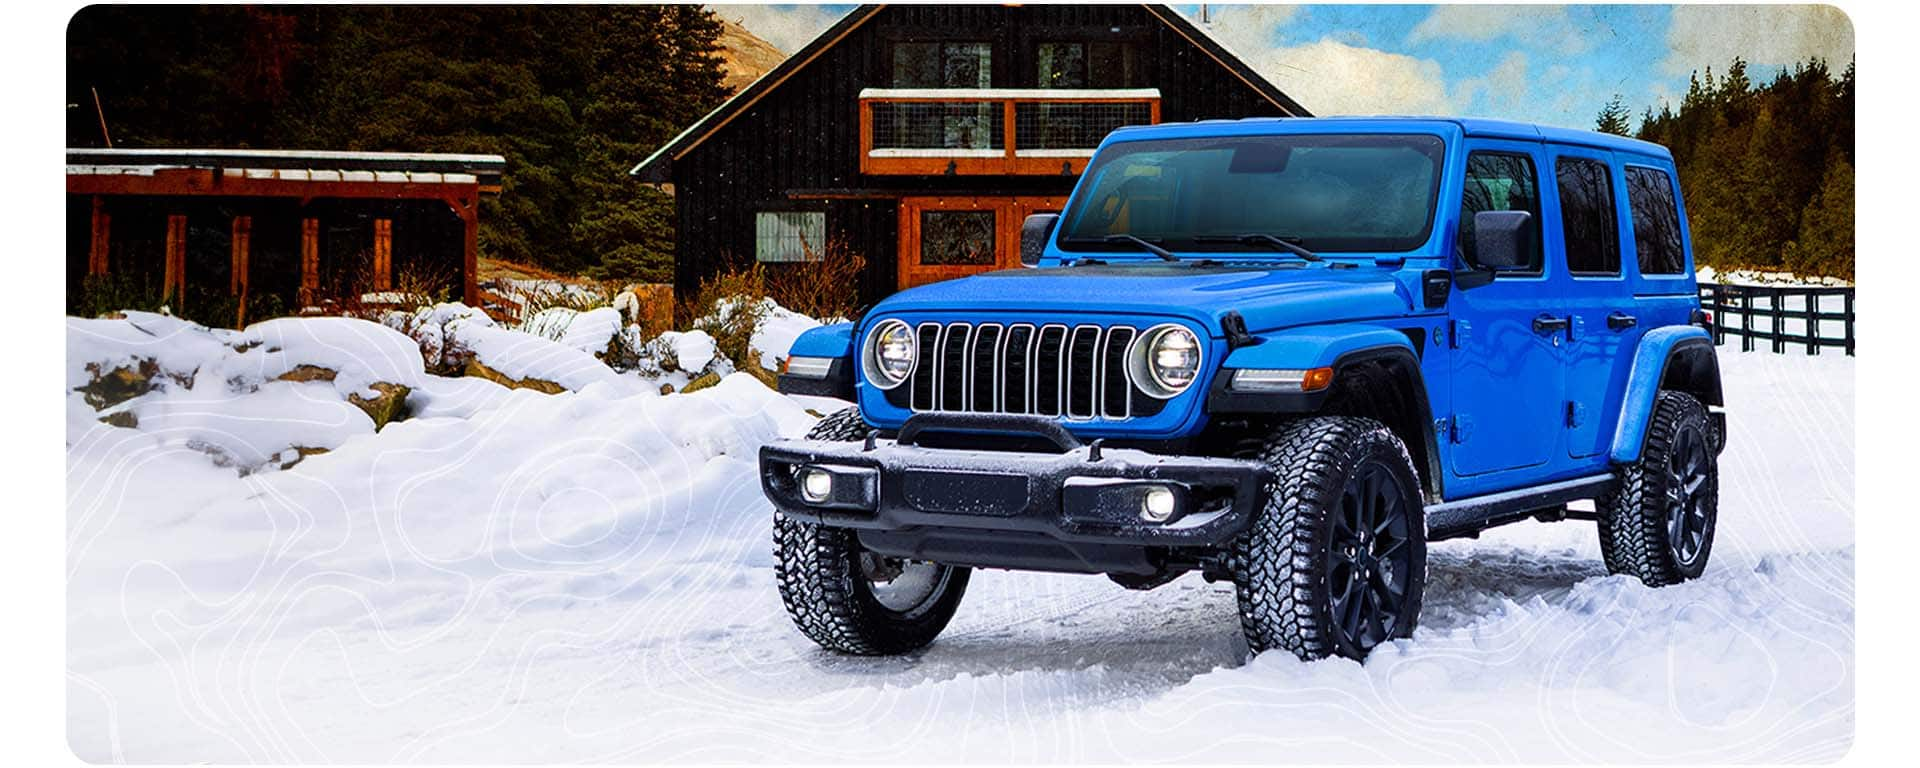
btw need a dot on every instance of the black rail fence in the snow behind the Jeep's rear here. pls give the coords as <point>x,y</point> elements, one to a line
<point>1785,318</point>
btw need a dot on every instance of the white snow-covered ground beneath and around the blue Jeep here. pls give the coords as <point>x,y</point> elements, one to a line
<point>519,577</point>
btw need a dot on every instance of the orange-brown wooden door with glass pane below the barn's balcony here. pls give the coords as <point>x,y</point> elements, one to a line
<point>944,239</point>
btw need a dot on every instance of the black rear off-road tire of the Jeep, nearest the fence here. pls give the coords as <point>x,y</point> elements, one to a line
<point>1639,531</point>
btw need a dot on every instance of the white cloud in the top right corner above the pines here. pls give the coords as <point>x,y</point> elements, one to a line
<point>1779,36</point>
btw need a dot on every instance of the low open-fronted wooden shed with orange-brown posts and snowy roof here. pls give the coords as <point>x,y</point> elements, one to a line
<point>274,231</point>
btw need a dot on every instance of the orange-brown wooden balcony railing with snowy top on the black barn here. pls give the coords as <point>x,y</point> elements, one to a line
<point>994,132</point>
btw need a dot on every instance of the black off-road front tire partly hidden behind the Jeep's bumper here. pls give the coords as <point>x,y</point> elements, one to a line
<point>827,588</point>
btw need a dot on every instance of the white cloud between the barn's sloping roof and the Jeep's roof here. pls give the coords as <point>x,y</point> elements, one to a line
<point>1333,78</point>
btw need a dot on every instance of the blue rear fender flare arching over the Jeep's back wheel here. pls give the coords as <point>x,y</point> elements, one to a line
<point>1666,356</point>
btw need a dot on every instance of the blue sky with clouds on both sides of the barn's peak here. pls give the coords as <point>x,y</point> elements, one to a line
<point>1550,64</point>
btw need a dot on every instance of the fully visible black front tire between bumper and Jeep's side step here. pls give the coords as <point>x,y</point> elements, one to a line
<point>1282,567</point>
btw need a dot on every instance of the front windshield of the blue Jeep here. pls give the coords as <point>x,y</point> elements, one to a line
<point>1328,193</point>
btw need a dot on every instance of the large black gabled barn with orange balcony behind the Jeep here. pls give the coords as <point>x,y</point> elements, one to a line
<point>919,137</point>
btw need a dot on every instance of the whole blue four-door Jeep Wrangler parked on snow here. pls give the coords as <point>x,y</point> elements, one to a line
<point>1280,352</point>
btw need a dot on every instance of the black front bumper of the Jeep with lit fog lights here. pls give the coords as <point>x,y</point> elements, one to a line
<point>1074,512</point>
